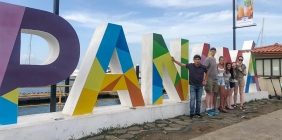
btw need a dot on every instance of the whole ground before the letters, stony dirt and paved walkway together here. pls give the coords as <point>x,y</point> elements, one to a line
<point>249,124</point>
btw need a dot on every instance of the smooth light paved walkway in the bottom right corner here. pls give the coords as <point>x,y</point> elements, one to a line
<point>265,127</point>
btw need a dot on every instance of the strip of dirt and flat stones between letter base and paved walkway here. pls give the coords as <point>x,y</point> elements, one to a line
<point>183,128</point>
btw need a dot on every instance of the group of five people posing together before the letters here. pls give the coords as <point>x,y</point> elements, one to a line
<point>223,78</point>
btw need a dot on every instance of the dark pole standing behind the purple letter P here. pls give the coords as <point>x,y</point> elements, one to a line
<point>53,93</point>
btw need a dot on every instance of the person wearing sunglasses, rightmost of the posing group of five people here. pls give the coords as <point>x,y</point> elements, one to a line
<point>241,72</point>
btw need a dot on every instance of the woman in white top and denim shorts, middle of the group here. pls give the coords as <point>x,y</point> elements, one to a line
<point>221,85</point>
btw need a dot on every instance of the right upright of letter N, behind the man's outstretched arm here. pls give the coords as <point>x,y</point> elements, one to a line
<point>179,49</point>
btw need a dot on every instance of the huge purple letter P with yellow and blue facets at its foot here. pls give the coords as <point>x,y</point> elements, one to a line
<point>62,60</point>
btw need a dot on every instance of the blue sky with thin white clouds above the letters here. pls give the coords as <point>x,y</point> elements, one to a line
<point>205,21</point>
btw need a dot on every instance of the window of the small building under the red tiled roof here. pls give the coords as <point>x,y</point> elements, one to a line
<point>269,67</point>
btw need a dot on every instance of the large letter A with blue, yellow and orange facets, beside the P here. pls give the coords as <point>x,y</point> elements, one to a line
<point>108,42</point>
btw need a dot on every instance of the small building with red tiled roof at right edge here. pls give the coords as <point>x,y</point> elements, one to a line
<point>269,64</point>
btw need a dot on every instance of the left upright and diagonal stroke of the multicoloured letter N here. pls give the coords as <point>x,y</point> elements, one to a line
<point>158,71</point>
